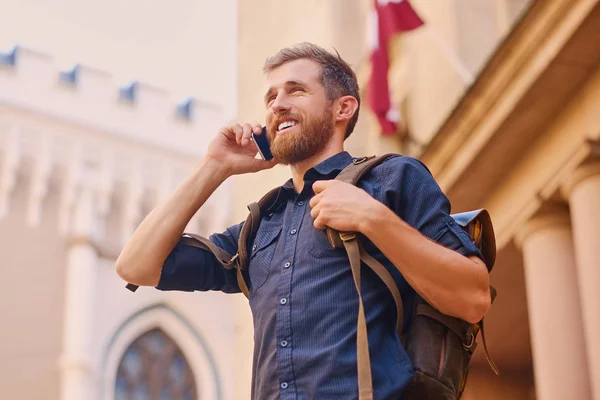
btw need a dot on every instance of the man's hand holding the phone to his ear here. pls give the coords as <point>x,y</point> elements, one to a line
<point>234,149</point>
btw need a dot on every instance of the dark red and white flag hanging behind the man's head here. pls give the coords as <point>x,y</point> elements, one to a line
<point>389,17</point>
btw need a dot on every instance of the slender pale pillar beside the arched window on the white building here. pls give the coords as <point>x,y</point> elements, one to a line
<point>82,259</point>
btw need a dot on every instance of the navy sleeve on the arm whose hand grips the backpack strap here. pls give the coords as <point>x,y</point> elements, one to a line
<point>412,192</point>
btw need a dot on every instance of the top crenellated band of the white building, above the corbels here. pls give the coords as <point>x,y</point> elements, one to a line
<point>91,98</point>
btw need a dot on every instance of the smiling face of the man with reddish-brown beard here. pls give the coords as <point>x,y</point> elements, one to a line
<point>299,116</point>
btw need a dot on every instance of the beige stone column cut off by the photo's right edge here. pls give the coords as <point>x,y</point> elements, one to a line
<point>584,200</point>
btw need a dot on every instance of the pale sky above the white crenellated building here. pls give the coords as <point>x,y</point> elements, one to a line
<point>187,47</point>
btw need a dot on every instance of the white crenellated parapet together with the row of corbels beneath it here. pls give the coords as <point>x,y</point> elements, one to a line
<point>81,137</point>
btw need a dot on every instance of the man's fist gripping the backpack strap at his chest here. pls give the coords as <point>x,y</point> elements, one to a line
<point>340,206</point>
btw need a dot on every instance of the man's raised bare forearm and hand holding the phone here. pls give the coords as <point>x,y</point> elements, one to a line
<point>231,152</point>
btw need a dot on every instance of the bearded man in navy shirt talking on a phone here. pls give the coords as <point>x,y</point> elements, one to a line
<point>302,293</point>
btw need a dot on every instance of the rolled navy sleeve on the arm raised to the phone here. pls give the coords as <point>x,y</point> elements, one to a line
<point>189,268</point>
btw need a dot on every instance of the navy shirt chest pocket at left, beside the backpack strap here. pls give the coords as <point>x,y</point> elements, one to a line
<point>261,255</point>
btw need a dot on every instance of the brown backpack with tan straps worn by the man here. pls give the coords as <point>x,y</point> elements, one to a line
<point>439,346</point>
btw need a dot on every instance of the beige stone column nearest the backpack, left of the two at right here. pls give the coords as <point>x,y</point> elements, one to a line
<point>559,357</point>
